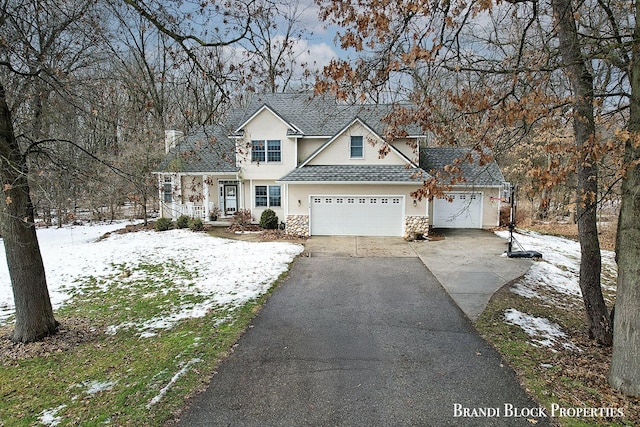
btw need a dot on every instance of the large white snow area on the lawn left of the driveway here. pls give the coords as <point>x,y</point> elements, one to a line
<point>222,272</point>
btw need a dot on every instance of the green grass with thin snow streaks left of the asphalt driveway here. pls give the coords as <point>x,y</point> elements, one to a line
<point>84,376</point>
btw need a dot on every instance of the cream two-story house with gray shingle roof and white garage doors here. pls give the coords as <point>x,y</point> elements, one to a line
<point>317,164</point>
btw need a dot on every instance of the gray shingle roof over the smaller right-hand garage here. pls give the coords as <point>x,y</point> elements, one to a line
<point>434,159</point>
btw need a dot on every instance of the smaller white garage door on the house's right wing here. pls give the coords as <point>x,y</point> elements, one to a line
<point>458,210</point>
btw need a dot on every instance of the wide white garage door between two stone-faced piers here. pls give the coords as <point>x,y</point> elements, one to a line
<point>356,215</point>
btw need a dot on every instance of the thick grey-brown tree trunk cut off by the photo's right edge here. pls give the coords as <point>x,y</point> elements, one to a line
<point>624,374</point>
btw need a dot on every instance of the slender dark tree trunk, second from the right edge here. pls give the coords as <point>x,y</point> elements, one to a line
<point>581,79</point>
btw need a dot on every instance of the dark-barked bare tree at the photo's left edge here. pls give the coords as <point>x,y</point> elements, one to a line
<point>33,35</point>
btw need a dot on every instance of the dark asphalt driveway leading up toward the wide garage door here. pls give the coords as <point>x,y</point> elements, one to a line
<point>362,341</point>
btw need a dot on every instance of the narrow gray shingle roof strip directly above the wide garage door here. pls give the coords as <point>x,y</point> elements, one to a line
<point>354,173</point>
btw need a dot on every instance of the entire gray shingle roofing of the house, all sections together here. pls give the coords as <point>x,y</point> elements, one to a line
<point>211,150</point>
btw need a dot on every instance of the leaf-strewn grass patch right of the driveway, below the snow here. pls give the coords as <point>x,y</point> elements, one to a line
<point>570,379</point>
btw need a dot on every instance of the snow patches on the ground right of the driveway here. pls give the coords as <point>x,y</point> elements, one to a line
<point>554,280</point>
